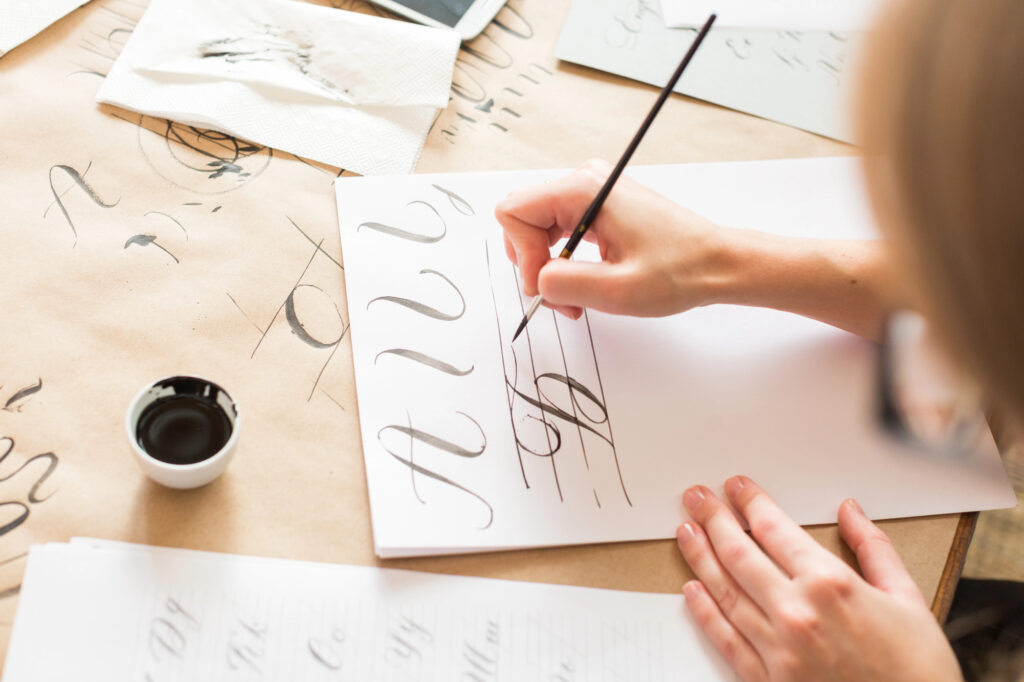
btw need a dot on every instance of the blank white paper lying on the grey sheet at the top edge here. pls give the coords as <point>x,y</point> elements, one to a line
<point>782,15</point>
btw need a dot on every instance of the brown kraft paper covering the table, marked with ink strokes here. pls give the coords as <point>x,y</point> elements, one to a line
<point>96,321</point>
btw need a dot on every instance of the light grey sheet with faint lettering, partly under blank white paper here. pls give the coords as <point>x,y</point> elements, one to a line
<point>799,79</point>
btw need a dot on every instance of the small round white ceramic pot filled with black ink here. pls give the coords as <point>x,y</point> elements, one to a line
<point>184,431</point>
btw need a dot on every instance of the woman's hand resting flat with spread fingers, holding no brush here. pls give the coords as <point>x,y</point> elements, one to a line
<point>796,612</point>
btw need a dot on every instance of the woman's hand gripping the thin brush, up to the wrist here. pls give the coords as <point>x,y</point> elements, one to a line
<point>657,258</point>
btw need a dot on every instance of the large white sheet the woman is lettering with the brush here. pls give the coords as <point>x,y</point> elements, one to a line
<point>472,444</point>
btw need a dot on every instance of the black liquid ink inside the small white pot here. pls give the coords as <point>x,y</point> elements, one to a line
<point>183,429</point>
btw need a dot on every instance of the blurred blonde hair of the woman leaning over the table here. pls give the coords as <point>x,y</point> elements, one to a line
<point>942,116</point>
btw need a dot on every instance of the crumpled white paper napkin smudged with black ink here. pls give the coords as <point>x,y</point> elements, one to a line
<point>351,91</point>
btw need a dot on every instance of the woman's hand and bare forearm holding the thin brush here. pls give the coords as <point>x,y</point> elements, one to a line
<point>658,259</point>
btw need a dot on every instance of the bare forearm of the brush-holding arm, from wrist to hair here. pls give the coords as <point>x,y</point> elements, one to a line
<point>847,284</point>
